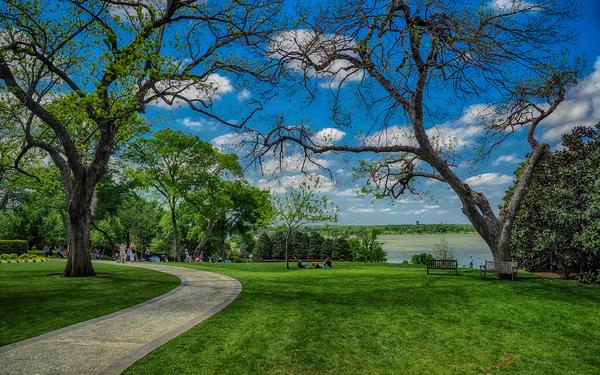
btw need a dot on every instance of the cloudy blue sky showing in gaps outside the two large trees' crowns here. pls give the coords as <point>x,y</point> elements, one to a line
<point>491,176</point>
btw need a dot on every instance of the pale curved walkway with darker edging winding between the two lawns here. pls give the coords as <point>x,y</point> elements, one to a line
<point>111,343</point>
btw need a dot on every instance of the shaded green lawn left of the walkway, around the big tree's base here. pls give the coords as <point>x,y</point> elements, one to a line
<point>32,303</point>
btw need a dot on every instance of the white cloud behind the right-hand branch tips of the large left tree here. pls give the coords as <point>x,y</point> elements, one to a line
<point>213,88</point>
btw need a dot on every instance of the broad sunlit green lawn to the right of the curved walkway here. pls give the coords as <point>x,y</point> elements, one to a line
<point>388,319</point>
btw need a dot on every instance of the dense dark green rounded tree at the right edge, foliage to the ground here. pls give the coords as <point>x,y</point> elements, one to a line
<point>558,222</point>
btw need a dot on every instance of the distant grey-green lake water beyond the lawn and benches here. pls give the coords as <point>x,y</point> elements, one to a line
<point>403,247</point>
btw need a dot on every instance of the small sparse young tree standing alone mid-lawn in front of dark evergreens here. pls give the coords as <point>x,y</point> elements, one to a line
<point>298,207</point>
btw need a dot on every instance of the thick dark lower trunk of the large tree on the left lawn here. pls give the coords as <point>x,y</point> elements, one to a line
<point>79,263</point>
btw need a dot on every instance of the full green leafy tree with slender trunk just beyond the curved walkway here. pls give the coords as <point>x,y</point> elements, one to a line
<point>178,166</point>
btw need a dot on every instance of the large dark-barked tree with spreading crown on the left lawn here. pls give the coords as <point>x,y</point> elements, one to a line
<point>83,72</point>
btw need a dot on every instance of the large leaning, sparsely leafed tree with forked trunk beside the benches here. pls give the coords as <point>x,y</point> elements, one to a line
<point>418,63</point>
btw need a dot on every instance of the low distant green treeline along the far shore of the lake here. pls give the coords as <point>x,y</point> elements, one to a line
<point>352,230</point>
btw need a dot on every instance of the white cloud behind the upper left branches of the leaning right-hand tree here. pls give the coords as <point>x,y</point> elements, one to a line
<point>296,46</point>
